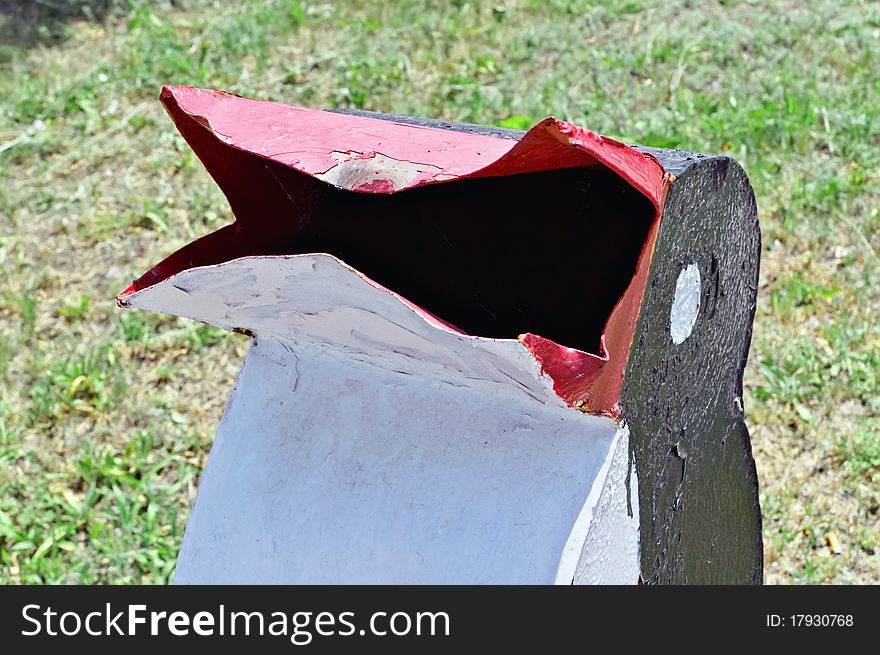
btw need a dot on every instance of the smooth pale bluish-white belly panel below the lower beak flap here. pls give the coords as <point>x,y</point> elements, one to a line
<point>366,476</point>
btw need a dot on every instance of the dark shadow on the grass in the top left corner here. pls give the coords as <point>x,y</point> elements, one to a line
<point>30,23</point>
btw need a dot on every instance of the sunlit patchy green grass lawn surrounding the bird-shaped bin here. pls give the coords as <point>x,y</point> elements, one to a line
<point>106,416</point>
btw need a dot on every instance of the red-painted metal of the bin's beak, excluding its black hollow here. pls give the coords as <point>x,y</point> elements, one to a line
<point>280,145</point>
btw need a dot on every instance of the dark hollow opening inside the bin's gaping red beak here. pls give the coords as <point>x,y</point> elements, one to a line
<point>549,253</point>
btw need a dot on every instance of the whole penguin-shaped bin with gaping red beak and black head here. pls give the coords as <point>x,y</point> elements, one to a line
<point>477,355</point>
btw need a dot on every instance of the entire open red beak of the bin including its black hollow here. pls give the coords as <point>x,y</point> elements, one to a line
<point>550,235</point>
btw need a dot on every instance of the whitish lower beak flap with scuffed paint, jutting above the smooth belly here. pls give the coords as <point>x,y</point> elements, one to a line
<point>317,301</point>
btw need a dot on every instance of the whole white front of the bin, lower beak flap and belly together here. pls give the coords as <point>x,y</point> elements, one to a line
<point>365,444</point>
